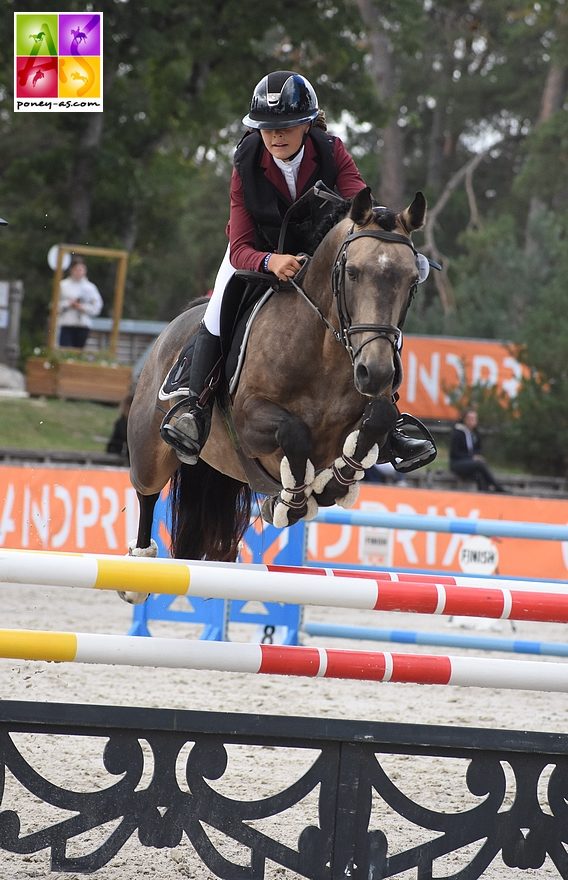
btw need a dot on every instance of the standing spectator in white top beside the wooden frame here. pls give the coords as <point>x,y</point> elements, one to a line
<point>79,301</point>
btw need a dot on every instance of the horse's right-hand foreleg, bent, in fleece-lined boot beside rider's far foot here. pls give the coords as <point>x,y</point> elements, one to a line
<point>339,484</point>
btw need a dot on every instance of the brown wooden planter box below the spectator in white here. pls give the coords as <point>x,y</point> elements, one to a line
<point>78,381</point>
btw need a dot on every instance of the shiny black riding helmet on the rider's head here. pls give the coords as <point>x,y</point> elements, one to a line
<point>282,99</point>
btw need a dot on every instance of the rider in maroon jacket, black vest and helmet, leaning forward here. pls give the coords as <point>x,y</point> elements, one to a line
<point>285,152</point>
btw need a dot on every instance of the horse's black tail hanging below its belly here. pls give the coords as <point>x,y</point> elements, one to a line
<point>210,513</point>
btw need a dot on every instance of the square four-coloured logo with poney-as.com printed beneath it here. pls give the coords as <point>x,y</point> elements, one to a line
<point>58,61</point>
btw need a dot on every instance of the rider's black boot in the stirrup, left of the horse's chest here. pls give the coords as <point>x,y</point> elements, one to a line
<point>186,426</point>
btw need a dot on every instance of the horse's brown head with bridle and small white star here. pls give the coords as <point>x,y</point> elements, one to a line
<point>374,278</point>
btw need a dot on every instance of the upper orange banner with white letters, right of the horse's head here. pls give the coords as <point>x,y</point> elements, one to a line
<point>434,365</point>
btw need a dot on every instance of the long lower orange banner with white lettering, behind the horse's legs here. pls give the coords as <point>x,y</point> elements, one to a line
<point>96,511</point>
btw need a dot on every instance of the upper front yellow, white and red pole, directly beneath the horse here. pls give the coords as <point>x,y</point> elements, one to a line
<point>526,600</point>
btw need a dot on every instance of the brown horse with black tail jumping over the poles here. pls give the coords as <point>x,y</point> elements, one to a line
<point>313,404</point>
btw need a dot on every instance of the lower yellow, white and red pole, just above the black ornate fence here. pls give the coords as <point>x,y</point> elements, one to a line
<point>289,660</point>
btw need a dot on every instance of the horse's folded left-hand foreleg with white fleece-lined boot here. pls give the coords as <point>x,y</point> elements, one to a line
<point>266,428</point>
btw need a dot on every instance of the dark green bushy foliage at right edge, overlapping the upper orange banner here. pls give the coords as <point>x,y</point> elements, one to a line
<point>532,427</point>
